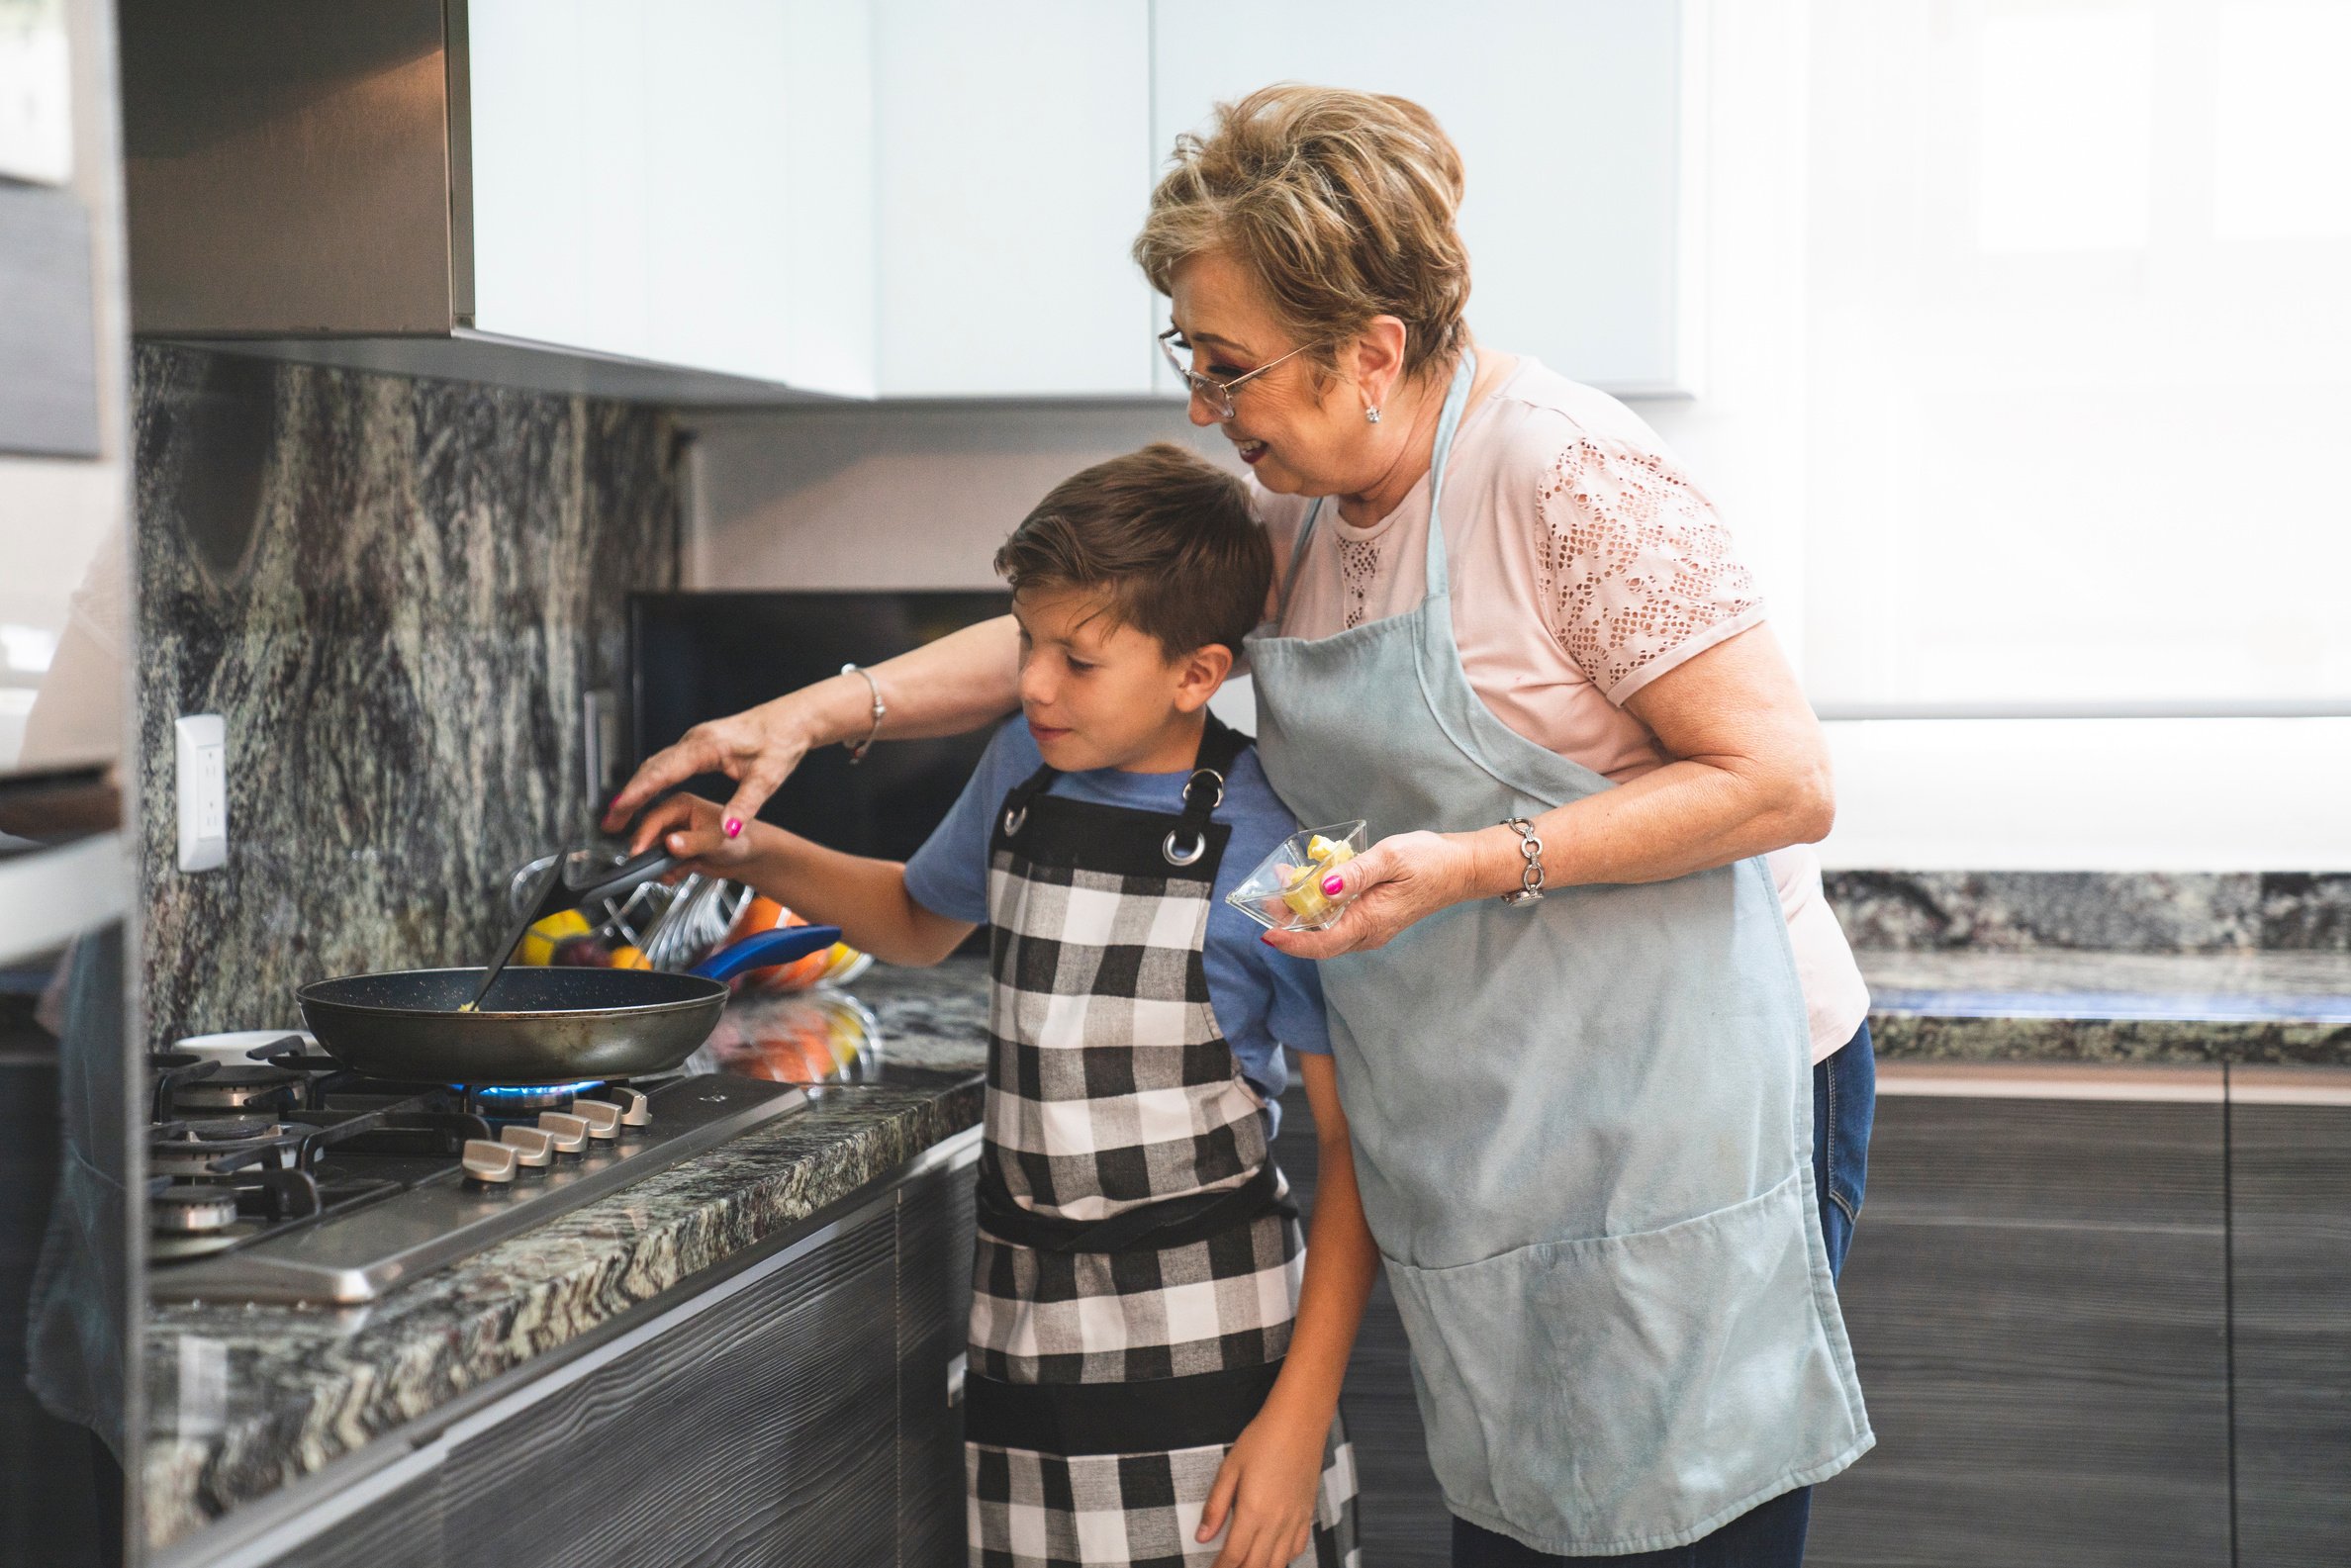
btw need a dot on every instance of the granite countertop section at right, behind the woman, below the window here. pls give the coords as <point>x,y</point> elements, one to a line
<point>2110,1007</point>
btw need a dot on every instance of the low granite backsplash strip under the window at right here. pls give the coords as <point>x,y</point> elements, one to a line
<point>2096,911</point>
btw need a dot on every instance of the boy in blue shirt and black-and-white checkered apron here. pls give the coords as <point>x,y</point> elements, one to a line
<point>1148,1376</point>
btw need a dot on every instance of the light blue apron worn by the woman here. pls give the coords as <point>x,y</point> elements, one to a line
<point>1581,1127</point>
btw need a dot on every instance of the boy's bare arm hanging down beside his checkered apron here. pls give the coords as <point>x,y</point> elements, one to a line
<point>1273,1475</point>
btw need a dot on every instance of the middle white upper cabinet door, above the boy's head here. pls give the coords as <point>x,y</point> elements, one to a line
<point>1014,159</point>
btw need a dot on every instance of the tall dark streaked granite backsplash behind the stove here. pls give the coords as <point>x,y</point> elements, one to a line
<point>396,594</point>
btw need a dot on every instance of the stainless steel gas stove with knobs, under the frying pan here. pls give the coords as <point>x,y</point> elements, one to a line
<point>279,1177</point>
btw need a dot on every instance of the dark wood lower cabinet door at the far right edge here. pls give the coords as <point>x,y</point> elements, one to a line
<point>2291,1327</point>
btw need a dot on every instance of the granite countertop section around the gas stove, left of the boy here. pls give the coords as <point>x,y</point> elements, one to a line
<point>246,1400</point>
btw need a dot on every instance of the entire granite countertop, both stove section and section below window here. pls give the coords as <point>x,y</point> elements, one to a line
<point>276,1393</point>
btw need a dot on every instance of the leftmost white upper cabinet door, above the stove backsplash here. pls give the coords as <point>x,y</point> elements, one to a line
<point>676,185</point>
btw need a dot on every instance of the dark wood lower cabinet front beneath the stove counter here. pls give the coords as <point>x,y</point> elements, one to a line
<point>803,1412</point>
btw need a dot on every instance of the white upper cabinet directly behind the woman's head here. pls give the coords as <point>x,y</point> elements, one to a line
<point>1572,121</point>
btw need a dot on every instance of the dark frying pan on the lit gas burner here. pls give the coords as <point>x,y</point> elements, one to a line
<point>540,1026</point>
